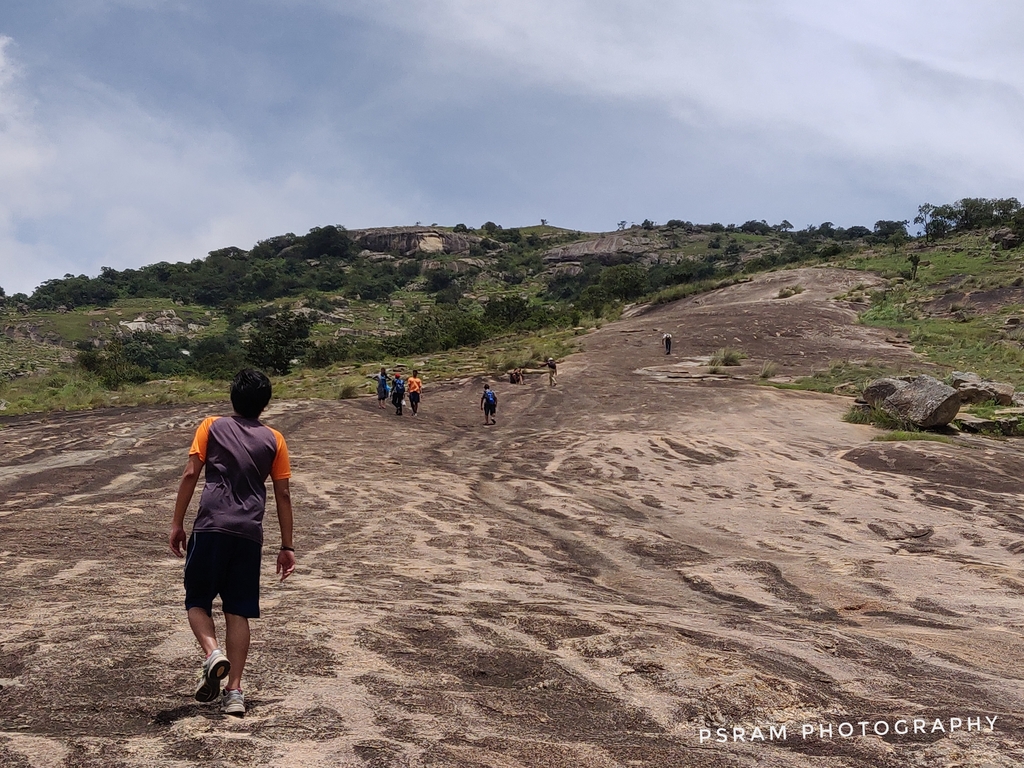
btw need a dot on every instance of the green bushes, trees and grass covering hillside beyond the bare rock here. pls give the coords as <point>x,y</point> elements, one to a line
<point>333,301</point>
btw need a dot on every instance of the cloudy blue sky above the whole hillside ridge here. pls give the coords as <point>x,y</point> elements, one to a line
<point>138,132</point>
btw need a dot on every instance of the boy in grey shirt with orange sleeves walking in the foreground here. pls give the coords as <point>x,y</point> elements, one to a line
<point>224,551</point>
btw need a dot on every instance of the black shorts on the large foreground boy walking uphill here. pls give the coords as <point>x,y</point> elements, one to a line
<point>227,566</point>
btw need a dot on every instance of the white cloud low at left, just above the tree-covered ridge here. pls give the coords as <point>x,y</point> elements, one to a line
<point>93,180</point>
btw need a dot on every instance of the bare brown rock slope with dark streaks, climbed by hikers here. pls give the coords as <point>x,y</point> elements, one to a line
<point>624,561</point>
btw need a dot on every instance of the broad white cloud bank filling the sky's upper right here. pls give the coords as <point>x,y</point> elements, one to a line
<point>936,87</point>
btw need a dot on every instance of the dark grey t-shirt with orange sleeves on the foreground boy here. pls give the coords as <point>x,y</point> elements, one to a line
<point>238,454</point>
